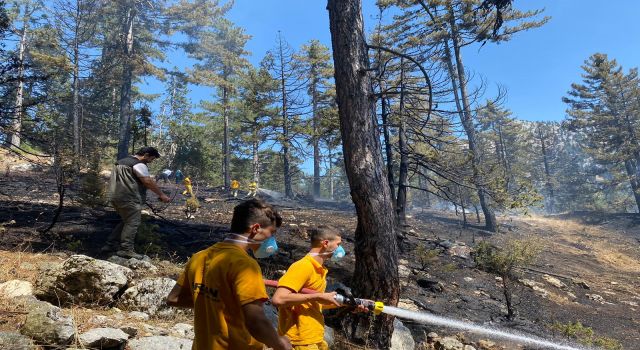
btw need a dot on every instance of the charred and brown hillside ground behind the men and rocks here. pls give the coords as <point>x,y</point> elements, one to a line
<point>600,250</point>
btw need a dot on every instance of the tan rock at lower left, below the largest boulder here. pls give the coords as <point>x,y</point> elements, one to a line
<point>46,324</point>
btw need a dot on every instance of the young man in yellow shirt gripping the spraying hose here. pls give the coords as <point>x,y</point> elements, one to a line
<point>300,315</point>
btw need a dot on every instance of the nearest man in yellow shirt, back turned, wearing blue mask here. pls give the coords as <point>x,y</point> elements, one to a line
<point>224,285</point>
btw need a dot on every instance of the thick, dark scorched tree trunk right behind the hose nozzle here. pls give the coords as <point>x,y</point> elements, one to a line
<point>376,251</point>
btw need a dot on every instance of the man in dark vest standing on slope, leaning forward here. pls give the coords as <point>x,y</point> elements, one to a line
<point>128,186</point>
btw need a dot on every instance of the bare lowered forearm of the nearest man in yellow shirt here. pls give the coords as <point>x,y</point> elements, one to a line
<point>260,328</point>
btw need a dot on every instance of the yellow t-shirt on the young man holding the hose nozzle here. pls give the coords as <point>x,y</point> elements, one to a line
<point>303,323</point>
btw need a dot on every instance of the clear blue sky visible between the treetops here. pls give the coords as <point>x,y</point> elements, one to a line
<point>537,67</point>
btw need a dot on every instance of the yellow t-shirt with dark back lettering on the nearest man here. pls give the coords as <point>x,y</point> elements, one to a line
<point>221,279</point>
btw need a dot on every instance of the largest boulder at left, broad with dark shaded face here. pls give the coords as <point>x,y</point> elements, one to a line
<point>82,279</point>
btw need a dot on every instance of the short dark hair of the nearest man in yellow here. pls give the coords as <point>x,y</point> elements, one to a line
<point>254,211</point>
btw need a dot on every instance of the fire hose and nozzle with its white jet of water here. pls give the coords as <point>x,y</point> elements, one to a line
<point>378,307</point>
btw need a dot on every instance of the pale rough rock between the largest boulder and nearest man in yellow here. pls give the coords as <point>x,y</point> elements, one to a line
<point>148,295</point>
